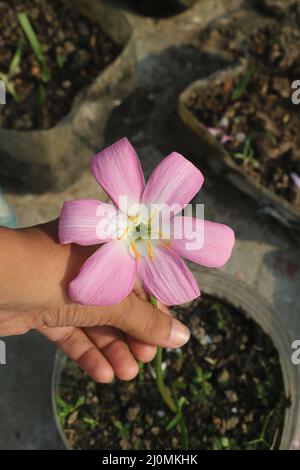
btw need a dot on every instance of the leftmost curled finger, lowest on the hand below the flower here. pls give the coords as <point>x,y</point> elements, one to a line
<point>75,343</point>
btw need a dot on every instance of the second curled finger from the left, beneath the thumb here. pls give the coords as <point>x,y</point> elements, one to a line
<point>115,350</point>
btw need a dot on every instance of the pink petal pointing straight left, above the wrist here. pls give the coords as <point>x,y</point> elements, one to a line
<point>86,222</point>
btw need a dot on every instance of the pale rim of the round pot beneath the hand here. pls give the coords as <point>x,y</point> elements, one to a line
<point>237,294</point>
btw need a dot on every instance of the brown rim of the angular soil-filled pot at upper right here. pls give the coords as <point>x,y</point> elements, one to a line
<point>219,158</point>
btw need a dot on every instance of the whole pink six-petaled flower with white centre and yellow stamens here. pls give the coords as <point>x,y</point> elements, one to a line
<point>132,245</point>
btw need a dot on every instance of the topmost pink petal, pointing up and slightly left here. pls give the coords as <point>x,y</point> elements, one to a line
<point>118,170</point>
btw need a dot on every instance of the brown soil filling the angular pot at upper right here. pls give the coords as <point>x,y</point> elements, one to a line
<point>253,115</point>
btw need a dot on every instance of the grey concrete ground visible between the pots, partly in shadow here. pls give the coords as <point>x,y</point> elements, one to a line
<point>265,257</point>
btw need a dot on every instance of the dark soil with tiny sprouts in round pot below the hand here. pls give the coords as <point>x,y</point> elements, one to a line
<point>229,373</point>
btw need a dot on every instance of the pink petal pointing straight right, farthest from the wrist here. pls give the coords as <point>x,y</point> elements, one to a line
<point>201,241</point>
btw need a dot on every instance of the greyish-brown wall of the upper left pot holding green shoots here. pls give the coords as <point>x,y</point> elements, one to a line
<point>40,160</point>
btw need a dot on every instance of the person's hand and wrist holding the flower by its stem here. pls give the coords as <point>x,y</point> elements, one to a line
<point>104,341</point>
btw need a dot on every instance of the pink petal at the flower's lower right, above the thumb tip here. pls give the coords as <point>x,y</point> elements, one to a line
<point>167,278</point>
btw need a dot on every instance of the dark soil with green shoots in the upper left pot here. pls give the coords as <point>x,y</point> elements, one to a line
<point>75,50</point>
